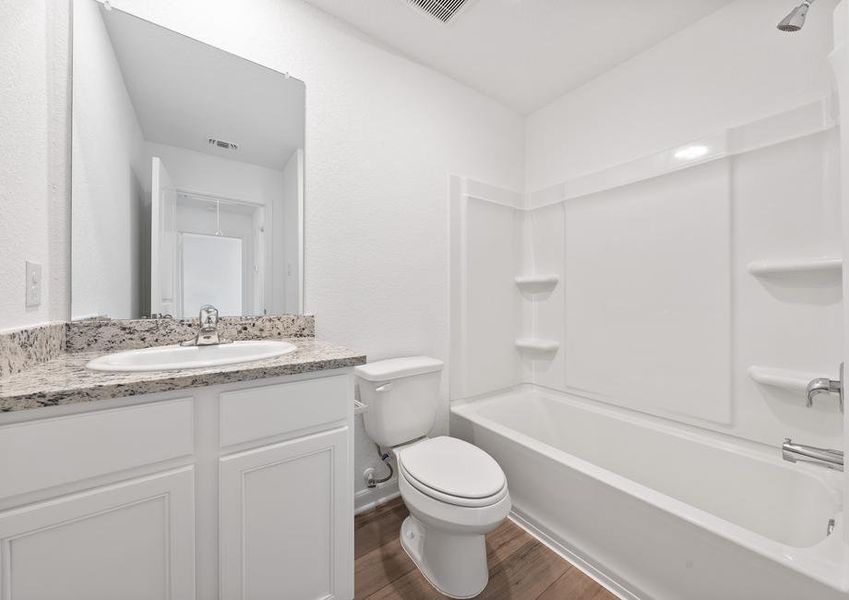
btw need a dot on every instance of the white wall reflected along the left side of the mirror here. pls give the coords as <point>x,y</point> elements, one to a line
<point>109,178</point>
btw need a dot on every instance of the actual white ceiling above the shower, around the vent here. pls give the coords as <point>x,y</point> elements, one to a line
<point>524,53</point>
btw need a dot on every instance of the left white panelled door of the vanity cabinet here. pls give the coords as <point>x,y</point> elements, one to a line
<point>132,540</point>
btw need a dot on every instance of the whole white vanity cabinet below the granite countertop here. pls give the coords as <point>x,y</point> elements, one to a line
<point>240,491</point>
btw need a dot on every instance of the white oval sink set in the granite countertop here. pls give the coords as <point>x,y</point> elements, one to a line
<point>169,358</point>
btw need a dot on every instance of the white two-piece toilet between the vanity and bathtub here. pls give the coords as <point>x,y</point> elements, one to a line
<point>456,493</point>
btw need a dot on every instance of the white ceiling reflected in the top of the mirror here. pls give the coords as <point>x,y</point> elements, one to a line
<point>185,92</point>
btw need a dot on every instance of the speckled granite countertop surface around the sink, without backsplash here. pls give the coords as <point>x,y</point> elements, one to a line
<point>65,380</point>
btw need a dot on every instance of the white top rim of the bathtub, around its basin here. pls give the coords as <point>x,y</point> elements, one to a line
<point>824,561</point>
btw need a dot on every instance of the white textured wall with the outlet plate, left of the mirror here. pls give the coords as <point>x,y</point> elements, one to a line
<point>34,164</point>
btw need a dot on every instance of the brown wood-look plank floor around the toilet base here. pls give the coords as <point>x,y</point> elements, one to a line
<point>520,567</point>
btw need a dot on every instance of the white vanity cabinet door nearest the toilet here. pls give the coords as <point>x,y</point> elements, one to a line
<point>287,521</point>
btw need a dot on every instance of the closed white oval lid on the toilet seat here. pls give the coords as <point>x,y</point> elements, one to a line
<point>453,467</point>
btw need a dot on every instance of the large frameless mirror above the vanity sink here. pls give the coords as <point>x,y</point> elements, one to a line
<point>187,175</point>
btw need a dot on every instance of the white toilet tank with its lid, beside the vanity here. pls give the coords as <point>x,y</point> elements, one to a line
<point>401,395</point>
